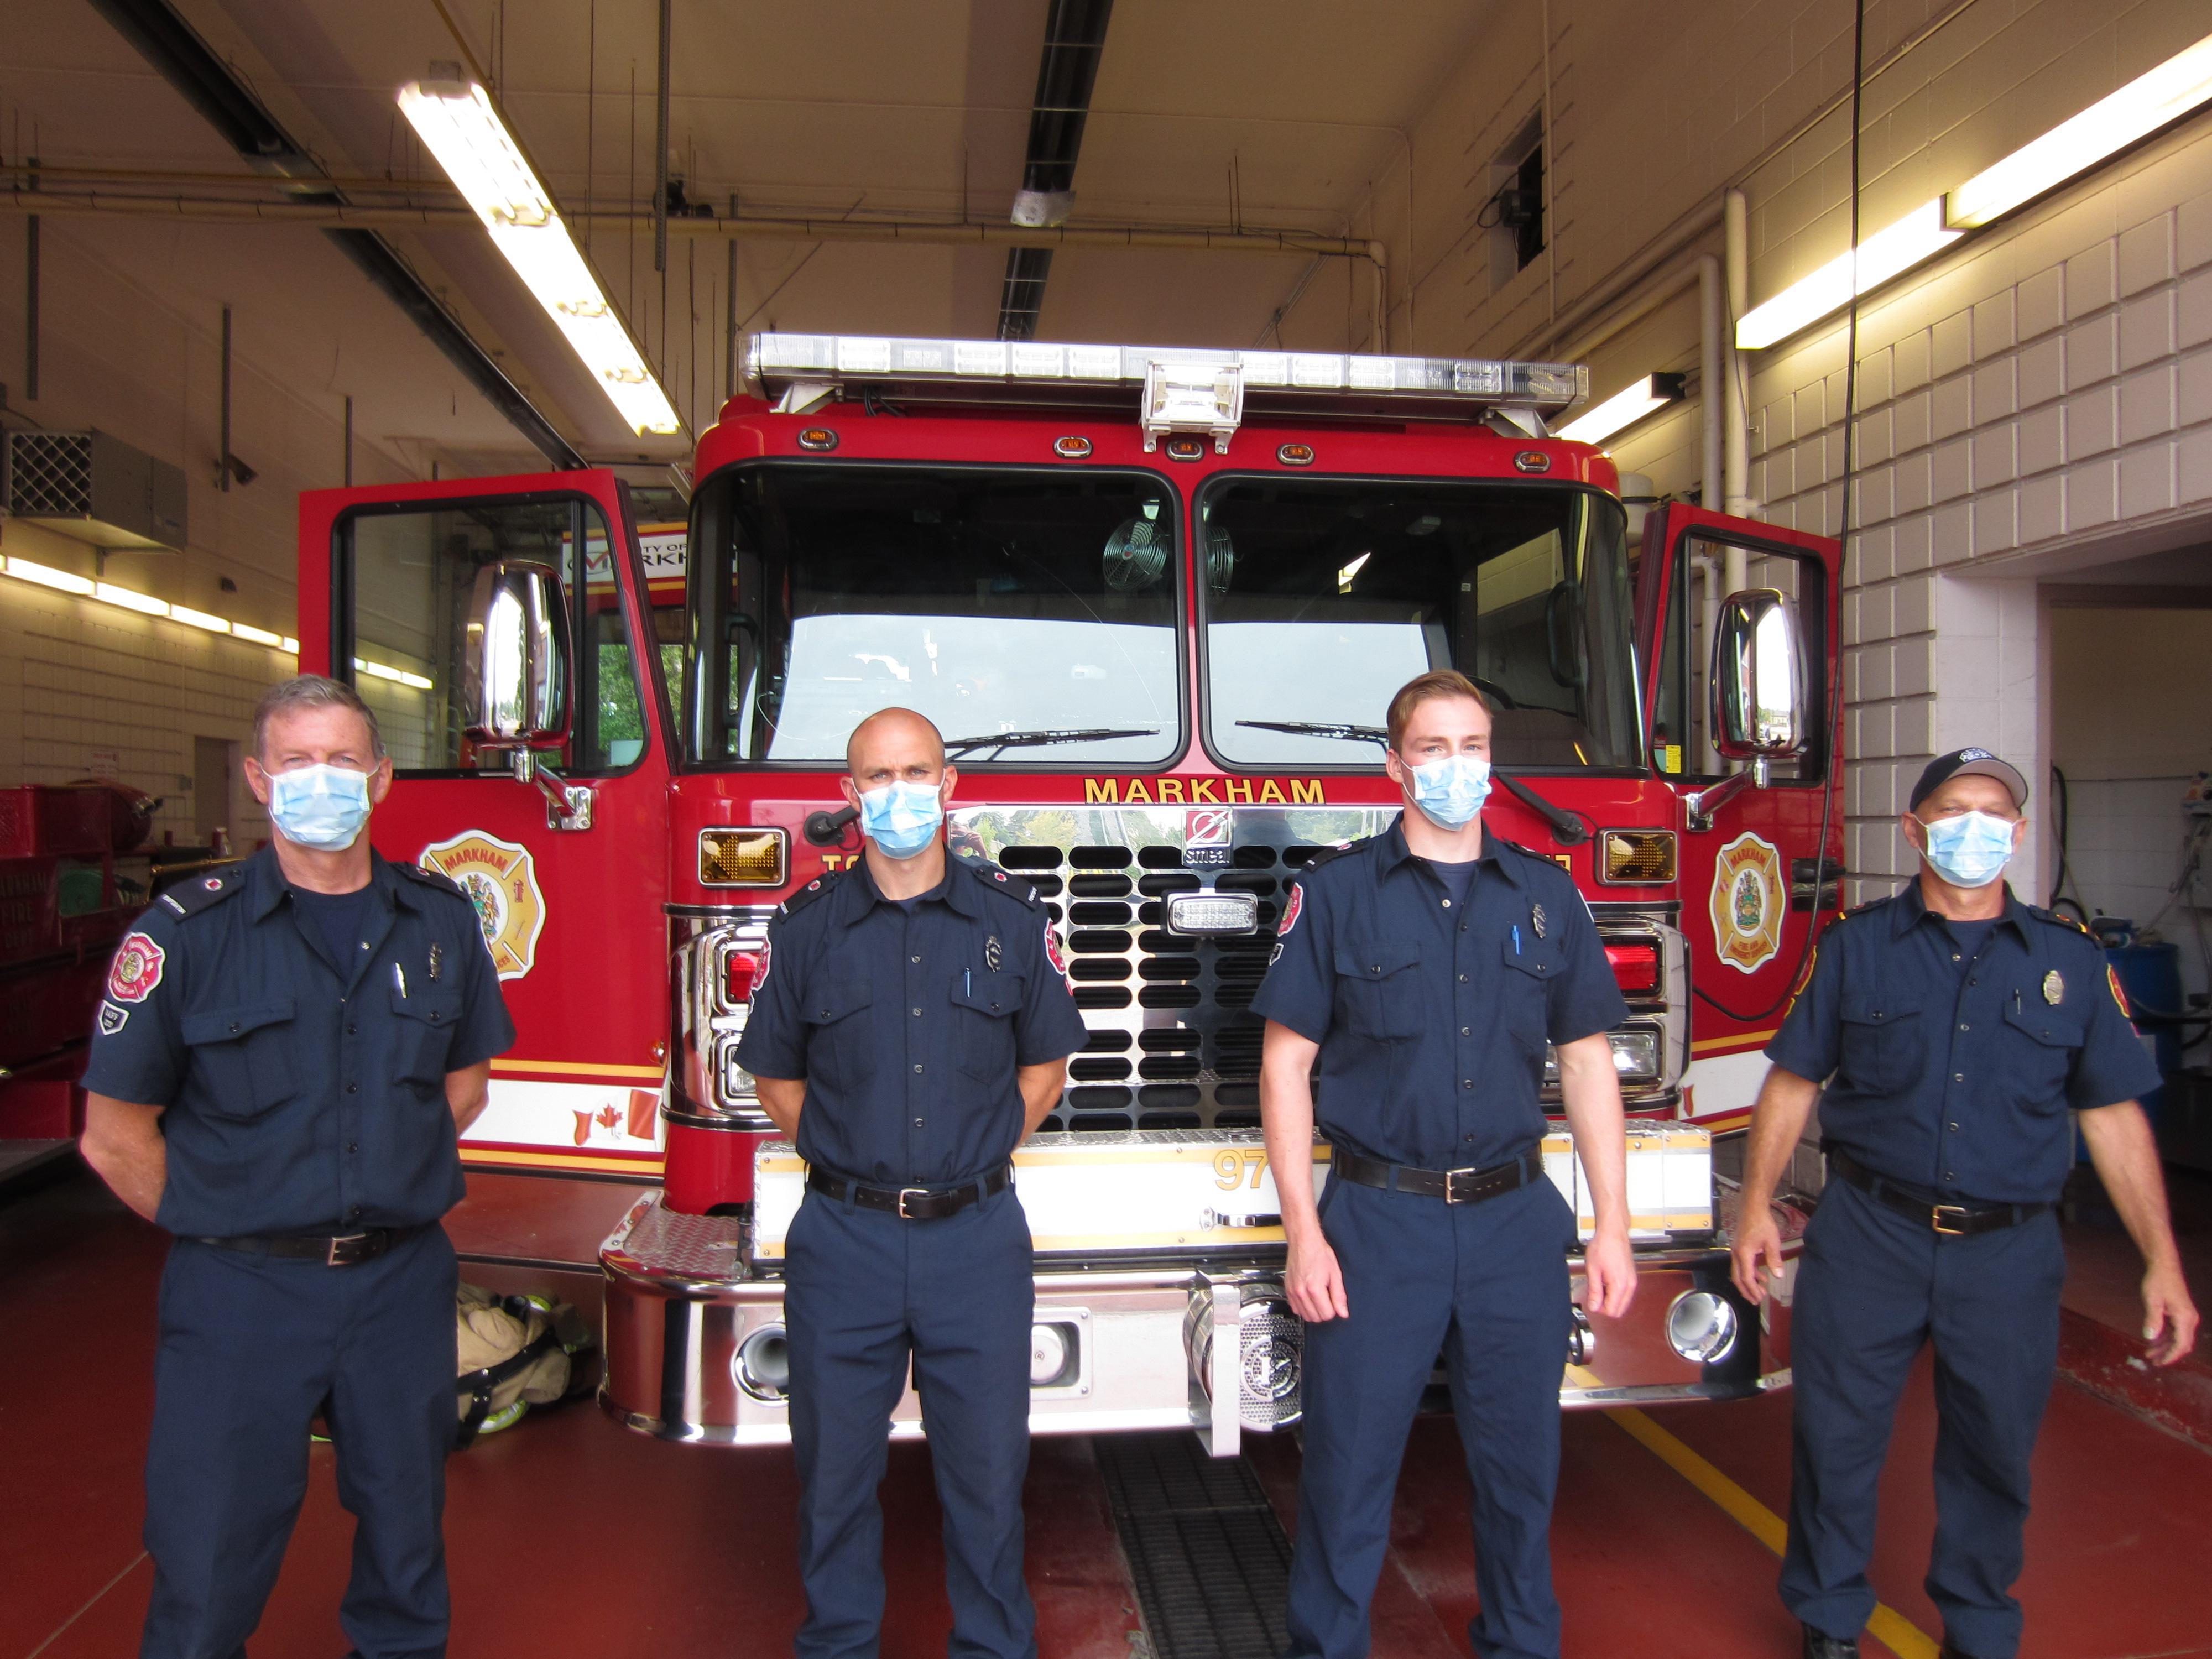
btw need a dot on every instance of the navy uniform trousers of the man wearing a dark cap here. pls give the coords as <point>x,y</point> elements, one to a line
<point>1872,1291</point>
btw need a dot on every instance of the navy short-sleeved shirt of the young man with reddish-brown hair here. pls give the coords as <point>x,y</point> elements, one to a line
<point>1432,1014</point>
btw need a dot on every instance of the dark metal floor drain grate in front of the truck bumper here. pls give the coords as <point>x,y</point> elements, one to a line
<point>1209,1556</point>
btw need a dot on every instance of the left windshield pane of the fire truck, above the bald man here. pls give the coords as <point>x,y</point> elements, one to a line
<point>992,601</point>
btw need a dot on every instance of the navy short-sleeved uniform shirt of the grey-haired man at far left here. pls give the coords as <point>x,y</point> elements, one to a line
<point>304,1094</point>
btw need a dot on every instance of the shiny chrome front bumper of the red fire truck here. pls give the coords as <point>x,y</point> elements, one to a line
<point>693,1342</point>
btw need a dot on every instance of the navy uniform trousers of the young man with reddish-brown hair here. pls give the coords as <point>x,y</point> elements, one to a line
<point>1488,1288</point>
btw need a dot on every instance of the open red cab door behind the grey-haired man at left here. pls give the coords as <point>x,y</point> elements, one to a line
<point>570,901</point>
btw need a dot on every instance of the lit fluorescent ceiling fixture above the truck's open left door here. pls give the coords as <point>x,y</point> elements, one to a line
<point>461,127</point>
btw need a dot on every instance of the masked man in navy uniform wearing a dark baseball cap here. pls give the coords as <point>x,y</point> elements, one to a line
<point>1954,1030</point>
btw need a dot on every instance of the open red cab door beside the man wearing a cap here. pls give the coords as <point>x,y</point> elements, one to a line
<point>1760,866</point>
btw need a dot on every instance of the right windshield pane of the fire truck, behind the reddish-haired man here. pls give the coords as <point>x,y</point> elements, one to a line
<point>1328,594</point>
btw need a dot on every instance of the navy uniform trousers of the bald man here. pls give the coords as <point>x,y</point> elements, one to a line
<point>866,1295</point>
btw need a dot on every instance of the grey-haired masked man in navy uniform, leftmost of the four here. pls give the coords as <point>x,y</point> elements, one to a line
<point>286,1056</point>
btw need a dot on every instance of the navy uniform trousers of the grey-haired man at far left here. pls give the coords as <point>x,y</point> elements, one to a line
<point>251,1350</point>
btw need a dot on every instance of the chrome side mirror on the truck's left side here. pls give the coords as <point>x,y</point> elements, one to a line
<point>517,658</point>
